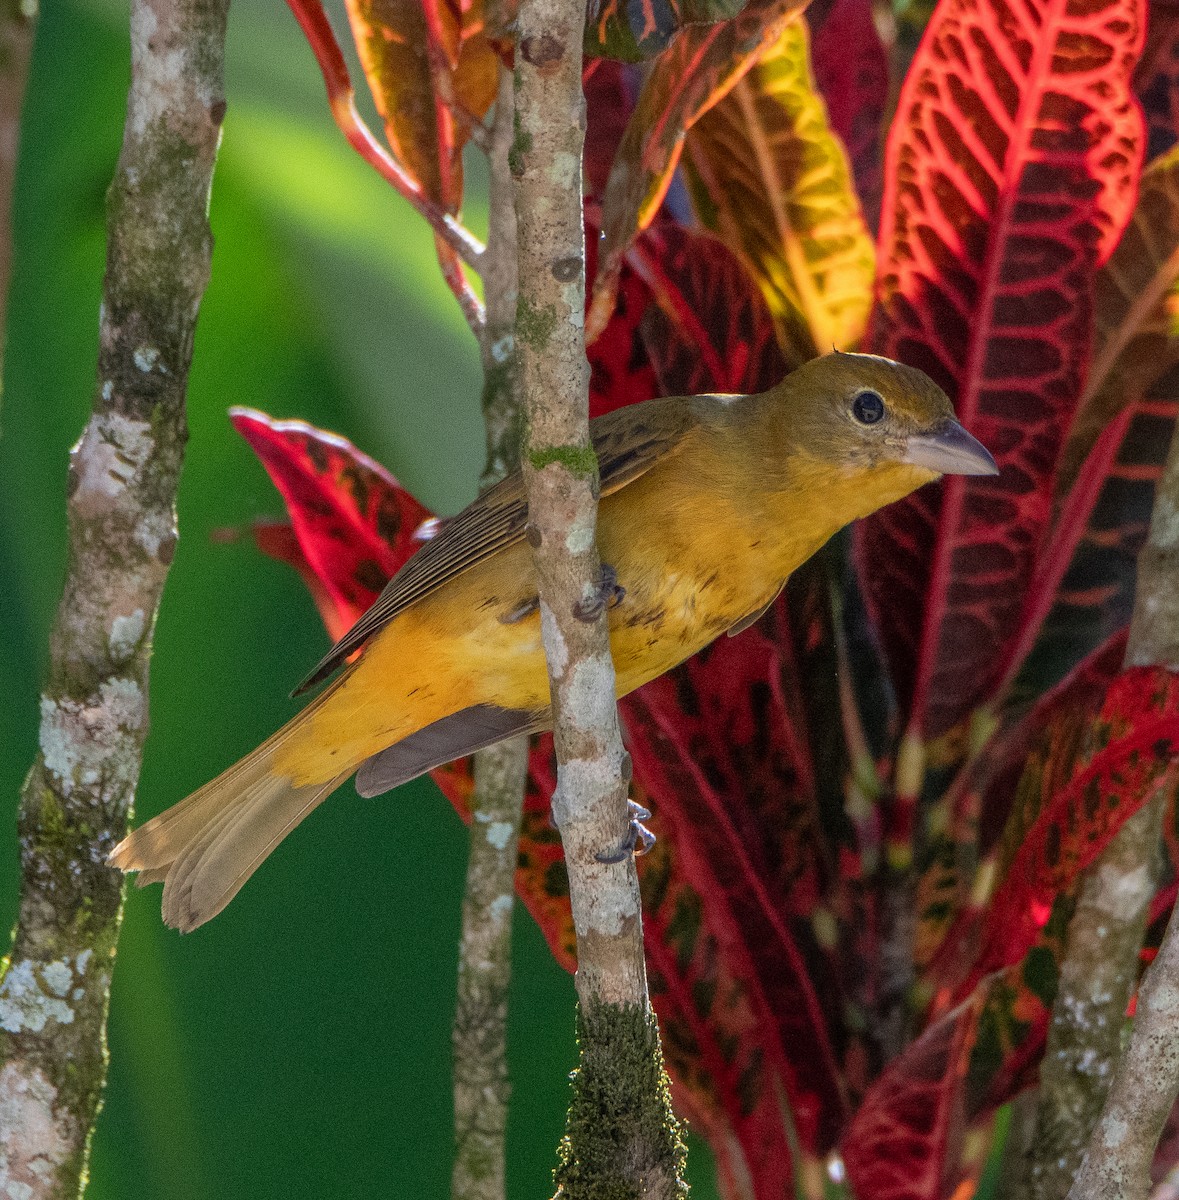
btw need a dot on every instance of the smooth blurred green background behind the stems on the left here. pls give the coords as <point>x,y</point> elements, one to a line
<point>300,1045</point>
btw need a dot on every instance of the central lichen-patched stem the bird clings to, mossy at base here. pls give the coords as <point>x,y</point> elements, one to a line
<point>621,1136</point>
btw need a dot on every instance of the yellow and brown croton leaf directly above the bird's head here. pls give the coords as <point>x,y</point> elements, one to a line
<point>771,179</point>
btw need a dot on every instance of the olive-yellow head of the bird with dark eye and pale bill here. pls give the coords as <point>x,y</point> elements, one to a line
<point>872,417</point>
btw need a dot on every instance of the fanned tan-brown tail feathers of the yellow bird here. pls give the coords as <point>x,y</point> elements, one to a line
<point>208,845</point>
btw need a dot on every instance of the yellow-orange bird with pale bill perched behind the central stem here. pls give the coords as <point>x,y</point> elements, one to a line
<point>708,505</point>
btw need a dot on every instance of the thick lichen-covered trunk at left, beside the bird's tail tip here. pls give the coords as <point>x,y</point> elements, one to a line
<point>122,538</point>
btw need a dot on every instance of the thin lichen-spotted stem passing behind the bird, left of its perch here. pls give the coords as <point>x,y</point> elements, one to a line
<point>481,1051</point>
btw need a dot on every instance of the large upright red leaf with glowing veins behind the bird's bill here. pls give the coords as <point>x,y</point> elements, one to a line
<point>1012,172</point>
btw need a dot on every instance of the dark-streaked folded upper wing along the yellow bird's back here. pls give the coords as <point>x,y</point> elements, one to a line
<point>629,442</point>
